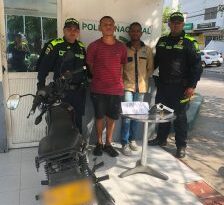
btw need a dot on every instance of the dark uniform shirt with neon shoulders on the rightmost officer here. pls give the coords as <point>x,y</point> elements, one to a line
<point>178,59</point>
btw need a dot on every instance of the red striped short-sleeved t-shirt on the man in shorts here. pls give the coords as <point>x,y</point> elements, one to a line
<point>107,61</point>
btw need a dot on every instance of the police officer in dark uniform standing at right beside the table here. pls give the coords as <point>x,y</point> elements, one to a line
<point>179,62</point>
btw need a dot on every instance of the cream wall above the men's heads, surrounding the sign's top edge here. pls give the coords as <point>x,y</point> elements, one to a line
<point>147,12</point>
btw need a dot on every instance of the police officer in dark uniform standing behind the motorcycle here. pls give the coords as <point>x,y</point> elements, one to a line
<point>54,60</point>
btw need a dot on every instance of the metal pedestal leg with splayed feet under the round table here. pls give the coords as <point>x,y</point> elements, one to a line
<point>141,165</point>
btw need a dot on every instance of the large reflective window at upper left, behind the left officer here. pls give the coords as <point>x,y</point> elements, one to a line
<point>29,25</point>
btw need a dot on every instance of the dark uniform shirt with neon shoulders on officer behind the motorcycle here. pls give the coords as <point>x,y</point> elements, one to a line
<point>54,56</point>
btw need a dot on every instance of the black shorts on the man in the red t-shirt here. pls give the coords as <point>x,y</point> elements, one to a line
<point>109,105</point>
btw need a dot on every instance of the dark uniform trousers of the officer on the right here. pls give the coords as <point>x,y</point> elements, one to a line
<point>170,95</point>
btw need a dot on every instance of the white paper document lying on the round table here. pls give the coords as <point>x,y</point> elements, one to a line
<point>135,108</point>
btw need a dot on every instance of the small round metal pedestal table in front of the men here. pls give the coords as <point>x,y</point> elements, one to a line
<point>141,165</point>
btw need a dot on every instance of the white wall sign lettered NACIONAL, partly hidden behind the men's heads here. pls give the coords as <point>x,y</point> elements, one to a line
<point>89,31</point>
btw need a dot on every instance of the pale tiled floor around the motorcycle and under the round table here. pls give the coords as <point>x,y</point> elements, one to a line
<point>19,181</point>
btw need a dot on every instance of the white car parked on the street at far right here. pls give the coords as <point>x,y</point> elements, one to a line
<point>211,57</point>
